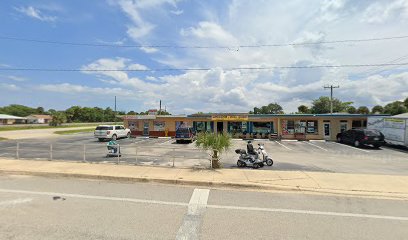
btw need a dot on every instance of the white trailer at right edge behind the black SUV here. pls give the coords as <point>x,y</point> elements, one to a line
<point>394,128</point>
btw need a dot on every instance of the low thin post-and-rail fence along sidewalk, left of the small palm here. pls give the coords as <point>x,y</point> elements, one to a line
<point>95,153</point>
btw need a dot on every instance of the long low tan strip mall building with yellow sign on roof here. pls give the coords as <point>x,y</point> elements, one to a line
<point>241,125</point>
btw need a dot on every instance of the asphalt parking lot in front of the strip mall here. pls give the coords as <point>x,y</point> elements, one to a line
<point>287,155</point>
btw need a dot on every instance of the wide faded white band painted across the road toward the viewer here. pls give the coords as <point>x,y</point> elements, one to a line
<point>191,224</point>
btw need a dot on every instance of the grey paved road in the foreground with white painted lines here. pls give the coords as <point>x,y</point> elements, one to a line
<point>47,208</point>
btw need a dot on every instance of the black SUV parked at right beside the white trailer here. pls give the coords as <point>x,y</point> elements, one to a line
<point>360,137</point>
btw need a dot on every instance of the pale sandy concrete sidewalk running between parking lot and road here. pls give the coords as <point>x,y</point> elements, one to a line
<point>395,187</point>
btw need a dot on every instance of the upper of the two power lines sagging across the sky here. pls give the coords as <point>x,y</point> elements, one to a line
<point>84,44</point>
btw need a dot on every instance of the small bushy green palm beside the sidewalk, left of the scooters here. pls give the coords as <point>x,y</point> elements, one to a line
<point>217,143</point>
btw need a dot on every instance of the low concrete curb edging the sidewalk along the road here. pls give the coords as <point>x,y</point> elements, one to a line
<point>244,186</point>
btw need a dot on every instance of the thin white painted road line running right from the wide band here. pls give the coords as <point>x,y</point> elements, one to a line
<point>309,212</point>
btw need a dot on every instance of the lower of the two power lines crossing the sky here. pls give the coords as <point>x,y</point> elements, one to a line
<point>201,69</point>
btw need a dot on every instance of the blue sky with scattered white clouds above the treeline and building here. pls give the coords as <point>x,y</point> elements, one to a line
<point>211,35</point>
